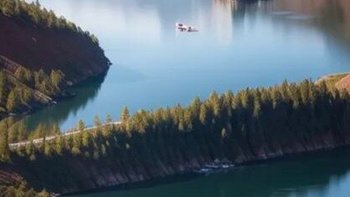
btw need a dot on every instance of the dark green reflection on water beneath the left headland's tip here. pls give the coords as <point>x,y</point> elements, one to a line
<point>86,92</point>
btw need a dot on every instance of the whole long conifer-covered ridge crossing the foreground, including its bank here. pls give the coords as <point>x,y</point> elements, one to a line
<point>251,125</point>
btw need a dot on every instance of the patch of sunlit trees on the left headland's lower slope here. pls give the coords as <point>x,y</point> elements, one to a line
<point>23,87</point>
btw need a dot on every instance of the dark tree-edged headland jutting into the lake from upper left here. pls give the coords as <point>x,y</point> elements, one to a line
<point>40,55</point>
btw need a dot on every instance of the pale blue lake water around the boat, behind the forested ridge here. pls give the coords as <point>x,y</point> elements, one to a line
<point>234,30</point>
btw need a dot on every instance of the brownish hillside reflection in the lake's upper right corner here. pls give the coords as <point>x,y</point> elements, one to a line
<point>331,18</point>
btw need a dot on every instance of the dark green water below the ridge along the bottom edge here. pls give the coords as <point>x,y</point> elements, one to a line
<point>305,175</point>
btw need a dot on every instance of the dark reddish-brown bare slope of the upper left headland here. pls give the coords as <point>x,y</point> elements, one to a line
<point>39,48</point>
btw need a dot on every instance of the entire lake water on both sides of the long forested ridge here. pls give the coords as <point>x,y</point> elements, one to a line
<point>238,45</point>
